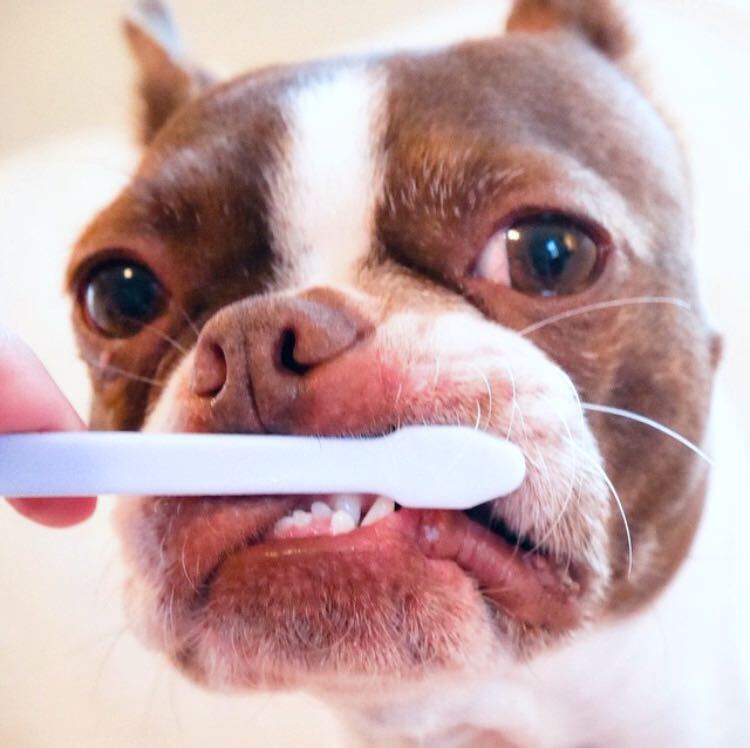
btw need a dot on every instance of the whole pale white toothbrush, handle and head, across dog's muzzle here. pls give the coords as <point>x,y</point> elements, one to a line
<point>437,467</point>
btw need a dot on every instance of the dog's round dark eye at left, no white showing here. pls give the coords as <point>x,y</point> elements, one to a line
<point>120,297</point>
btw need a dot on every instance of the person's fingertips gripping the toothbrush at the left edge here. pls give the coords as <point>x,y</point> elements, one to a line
<point>31,401</point>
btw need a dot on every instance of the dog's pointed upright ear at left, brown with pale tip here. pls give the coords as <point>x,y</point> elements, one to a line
<point>166,79</point>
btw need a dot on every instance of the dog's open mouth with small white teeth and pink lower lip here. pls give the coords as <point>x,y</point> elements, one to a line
<point>519,577</point>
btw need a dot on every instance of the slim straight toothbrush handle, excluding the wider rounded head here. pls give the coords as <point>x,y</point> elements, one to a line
<point>80,463</point>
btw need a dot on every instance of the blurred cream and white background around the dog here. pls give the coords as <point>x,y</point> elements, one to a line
<point>70,674</point>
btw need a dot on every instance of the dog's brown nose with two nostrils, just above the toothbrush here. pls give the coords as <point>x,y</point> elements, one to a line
<point>255,359</point>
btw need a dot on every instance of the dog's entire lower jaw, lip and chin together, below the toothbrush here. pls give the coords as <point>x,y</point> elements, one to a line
<point>409,597</point>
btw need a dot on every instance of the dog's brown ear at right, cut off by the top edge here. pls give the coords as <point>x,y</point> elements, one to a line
<point>600,22</point>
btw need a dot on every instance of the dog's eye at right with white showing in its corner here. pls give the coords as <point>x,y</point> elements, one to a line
<point>547,255</point>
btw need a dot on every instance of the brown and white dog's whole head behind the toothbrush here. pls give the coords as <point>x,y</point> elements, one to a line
<point>349,246</point>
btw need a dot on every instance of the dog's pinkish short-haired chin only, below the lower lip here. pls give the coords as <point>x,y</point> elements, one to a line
<point>331,620</point>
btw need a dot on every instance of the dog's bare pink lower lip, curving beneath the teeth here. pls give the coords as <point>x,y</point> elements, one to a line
<point>527,586</point>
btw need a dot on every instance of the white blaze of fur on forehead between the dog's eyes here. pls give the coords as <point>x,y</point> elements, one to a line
<point>325,194</point>
